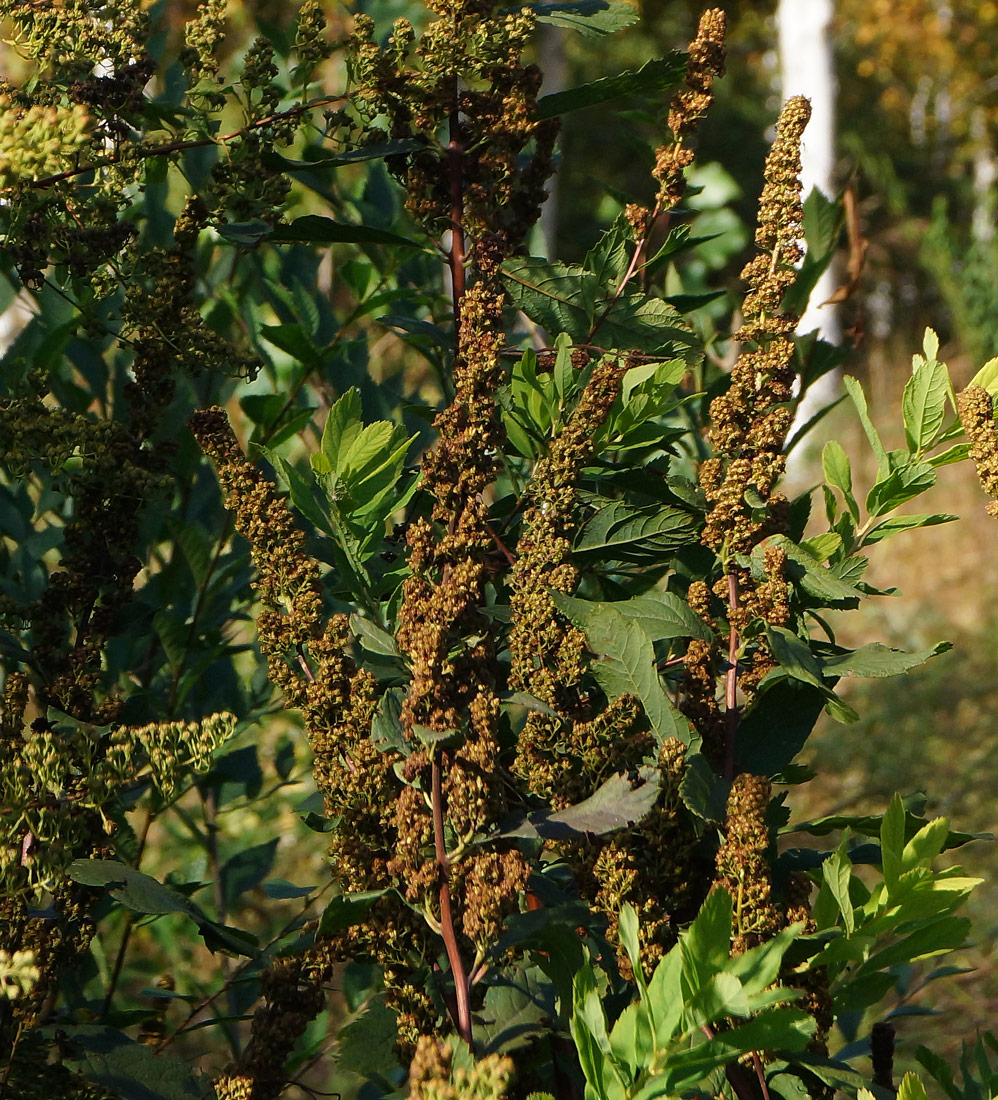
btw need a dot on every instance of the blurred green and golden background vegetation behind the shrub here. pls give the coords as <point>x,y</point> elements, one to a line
<point>917,125</point>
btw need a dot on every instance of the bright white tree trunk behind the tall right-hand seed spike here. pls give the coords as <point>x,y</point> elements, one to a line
<point>807,70</point>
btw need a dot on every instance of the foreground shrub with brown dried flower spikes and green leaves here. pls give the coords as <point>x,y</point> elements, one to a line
<point>523,573</point>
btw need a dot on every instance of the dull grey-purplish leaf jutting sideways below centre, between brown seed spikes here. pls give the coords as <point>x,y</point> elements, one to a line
<point>615,806</point>
